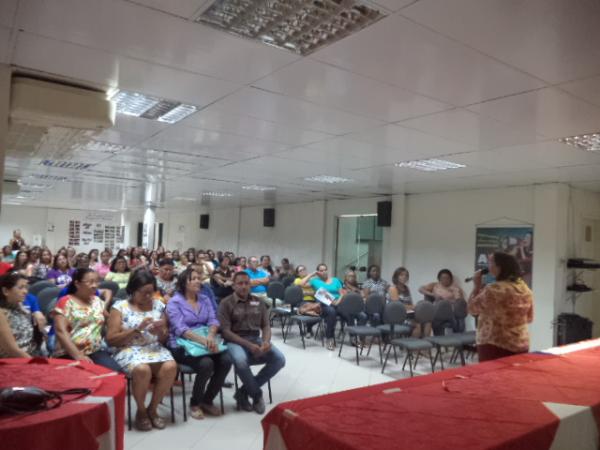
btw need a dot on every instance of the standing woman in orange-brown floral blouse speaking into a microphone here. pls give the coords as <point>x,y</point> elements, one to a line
<point>504,308</point>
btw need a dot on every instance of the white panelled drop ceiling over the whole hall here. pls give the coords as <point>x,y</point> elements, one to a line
<point>488,84</point>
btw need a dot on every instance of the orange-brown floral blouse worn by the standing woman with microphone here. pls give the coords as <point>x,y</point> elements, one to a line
<point>504,309</point>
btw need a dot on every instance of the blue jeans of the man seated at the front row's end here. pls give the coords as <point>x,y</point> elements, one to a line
<point>273,361</point>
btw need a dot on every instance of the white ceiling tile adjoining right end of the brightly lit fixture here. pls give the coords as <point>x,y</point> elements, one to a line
<point>214,119</point>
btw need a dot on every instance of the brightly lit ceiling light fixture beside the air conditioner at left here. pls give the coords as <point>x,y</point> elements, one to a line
<point>153,108</point>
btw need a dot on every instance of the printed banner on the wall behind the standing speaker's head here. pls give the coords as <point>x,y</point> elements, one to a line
<point>516,241</point>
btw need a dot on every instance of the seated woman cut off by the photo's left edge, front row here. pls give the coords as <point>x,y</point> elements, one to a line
<point>16,323</point>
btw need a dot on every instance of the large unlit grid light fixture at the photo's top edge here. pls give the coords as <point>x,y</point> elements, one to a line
<point>301,26</point>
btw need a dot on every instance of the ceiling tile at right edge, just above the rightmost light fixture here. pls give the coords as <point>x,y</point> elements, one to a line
<point>549,112</point>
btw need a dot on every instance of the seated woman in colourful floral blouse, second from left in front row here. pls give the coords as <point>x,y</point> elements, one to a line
<point>78,321</point>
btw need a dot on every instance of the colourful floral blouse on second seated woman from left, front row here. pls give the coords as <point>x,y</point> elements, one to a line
<point>85,323</point>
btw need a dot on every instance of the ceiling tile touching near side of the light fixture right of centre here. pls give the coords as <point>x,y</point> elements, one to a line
<point>411,144</point>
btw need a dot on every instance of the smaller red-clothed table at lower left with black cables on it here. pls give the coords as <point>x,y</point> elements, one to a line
<point>94,421</point>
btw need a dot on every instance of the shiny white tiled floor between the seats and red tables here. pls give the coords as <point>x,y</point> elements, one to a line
<point>307,373</point>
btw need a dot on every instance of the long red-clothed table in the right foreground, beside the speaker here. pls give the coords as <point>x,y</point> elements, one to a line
<point>529,401</point>
